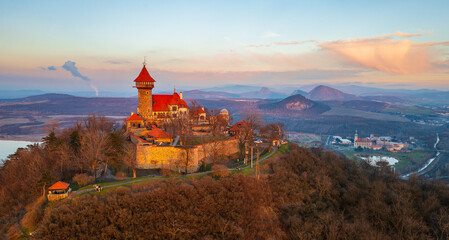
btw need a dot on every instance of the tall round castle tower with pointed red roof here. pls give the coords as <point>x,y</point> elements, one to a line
<point>144,84</point>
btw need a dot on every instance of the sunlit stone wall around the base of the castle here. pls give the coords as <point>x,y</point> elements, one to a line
<point>178,158</point>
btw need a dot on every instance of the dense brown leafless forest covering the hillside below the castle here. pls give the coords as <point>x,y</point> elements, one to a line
<point>306,194</point>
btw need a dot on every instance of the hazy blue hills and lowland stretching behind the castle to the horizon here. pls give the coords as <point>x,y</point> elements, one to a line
<point>332,111</point>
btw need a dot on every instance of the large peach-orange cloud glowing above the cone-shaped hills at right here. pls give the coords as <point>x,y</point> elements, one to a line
<point>387,55</point>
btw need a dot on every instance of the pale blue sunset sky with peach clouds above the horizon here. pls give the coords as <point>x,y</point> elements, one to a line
<point>100,45</point>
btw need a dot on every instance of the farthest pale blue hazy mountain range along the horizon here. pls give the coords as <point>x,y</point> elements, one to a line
<point>316,93</point>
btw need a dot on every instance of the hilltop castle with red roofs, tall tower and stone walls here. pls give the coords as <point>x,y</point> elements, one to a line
<point>158,149</point>
